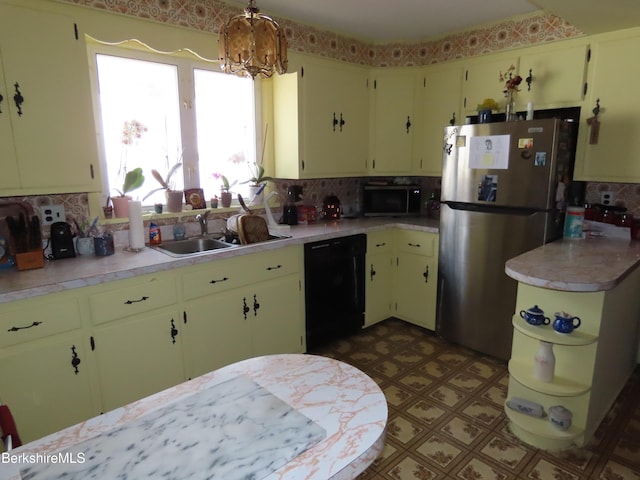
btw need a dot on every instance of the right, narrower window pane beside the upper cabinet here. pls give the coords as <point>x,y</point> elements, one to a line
<point>225,129</point>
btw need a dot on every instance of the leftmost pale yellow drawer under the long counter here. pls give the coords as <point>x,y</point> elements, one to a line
<point>27,320</point>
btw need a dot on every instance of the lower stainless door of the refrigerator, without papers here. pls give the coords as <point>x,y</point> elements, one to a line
<point>476,298</point>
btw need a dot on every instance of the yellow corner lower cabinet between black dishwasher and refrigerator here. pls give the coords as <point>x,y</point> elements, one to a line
<point>401,276</point>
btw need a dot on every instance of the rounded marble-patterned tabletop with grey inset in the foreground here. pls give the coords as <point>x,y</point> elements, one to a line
<point>323,419</point>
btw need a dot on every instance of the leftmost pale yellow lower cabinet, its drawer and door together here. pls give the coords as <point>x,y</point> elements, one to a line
<point>45,374</point>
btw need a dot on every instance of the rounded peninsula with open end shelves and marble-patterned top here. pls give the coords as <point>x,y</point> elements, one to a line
<point>597,280</point>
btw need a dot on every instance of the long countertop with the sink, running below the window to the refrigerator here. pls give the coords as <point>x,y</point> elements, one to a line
<point>82,271</point>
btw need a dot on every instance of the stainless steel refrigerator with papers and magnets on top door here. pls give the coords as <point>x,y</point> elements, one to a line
<point>503,193</point>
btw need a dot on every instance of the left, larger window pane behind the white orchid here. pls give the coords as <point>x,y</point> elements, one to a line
<point>140,121</point>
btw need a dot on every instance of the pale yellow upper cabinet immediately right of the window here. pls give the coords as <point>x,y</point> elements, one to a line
<point>321,119</point>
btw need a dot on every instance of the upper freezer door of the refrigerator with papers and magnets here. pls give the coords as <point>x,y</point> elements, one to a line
<point>503,164</point>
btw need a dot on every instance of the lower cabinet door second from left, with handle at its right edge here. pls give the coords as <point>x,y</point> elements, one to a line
<point>138,356</point>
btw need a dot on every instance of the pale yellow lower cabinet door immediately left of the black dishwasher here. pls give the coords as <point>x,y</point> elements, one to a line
<point>277,316</point>
